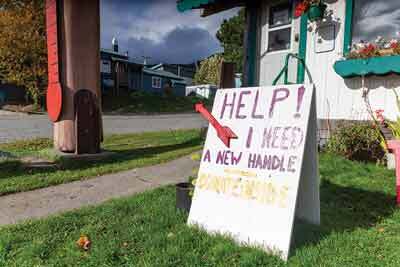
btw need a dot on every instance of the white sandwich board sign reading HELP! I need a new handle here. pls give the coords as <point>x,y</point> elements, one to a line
<point>259,167</point>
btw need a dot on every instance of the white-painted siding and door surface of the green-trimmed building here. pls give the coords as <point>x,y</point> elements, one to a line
<point>337,98</point>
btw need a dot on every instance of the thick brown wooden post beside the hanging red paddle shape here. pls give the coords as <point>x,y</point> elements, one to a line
<point>79,46</point>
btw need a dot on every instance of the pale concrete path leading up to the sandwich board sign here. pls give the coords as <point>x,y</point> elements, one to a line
<point>44,202</point>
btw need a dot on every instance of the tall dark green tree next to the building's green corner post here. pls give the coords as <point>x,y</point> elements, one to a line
<point>231,37</point>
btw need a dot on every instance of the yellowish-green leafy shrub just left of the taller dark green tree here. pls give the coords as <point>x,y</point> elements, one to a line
<point>209,71</point>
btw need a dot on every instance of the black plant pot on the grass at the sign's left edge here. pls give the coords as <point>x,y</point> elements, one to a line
<point>185,190</point>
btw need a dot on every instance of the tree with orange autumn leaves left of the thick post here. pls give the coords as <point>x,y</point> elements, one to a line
<point>23,56</point>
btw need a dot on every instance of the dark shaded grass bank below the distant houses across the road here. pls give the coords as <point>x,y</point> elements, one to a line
<point>147,103</point>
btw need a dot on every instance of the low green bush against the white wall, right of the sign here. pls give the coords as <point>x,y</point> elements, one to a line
<point>359,142</point>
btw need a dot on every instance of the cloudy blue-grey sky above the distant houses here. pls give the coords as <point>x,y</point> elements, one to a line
<point>154,28</point>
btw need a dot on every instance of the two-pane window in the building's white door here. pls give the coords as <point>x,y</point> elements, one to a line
<point>280,28</point>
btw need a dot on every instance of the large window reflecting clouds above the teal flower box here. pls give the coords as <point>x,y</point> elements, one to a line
<point>373,18</point>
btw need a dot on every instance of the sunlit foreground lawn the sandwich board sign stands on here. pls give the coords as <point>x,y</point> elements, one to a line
<point>360,227</point>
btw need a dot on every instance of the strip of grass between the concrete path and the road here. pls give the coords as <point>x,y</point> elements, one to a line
<point>131,151</point>
